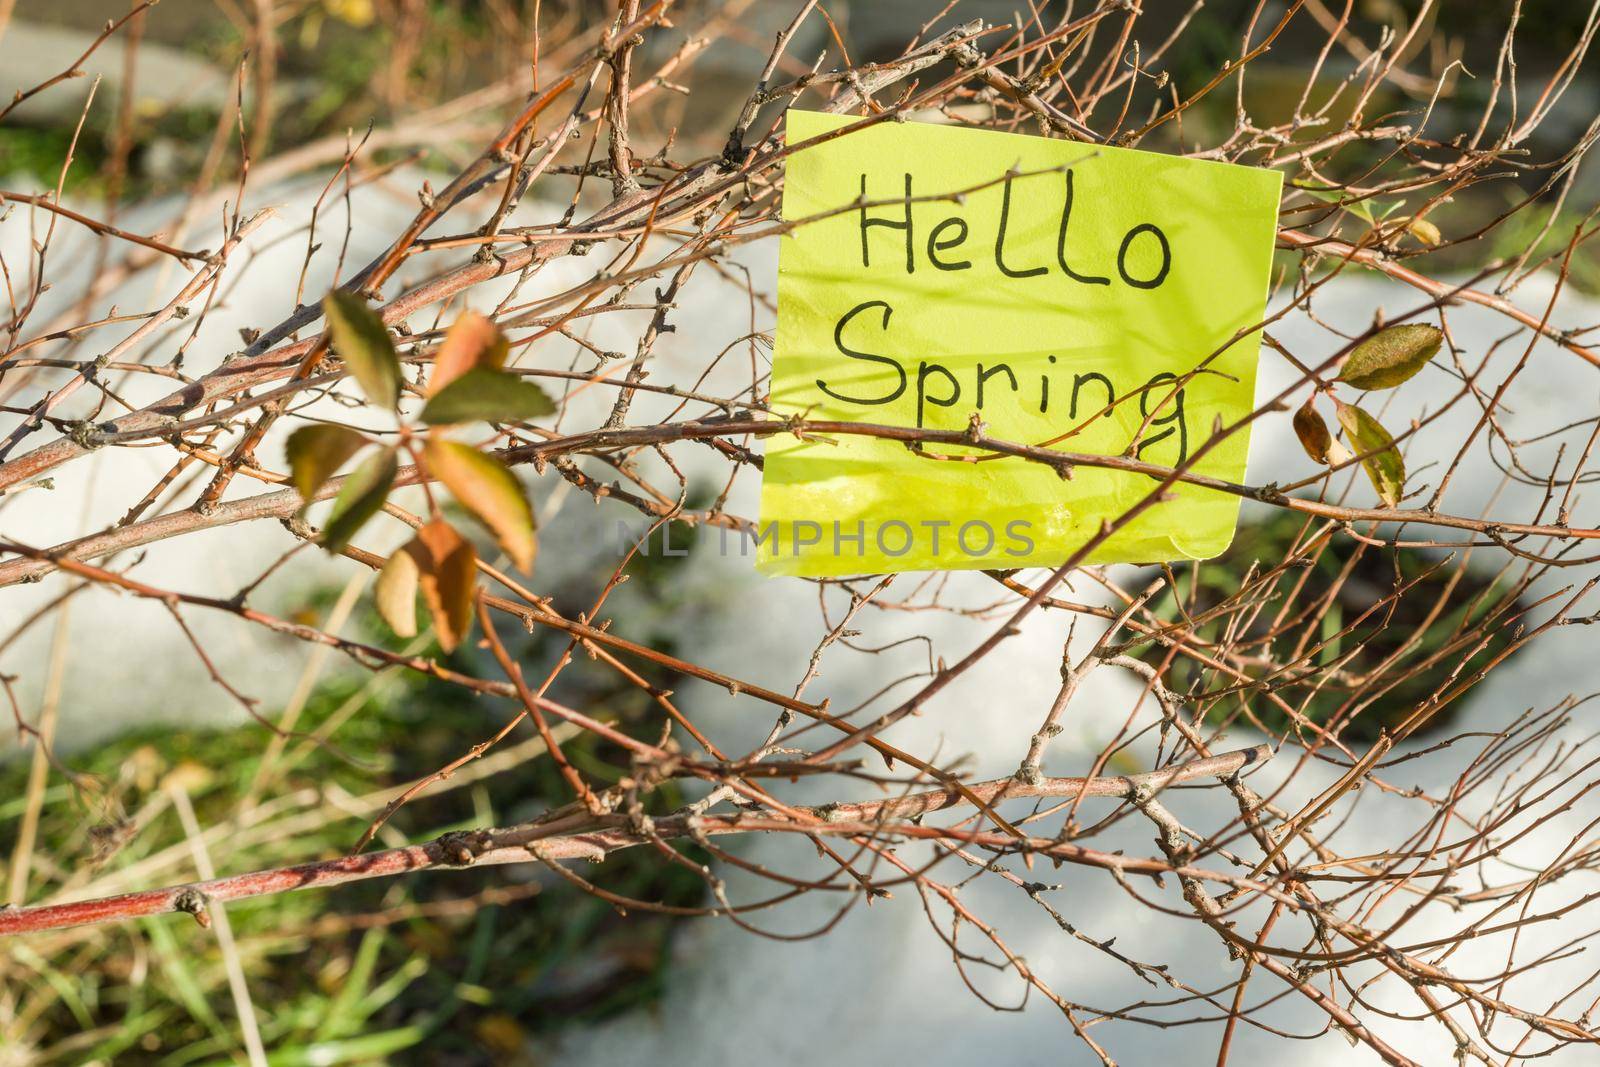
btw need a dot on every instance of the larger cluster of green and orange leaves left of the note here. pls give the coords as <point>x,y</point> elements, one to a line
<point>470,385</point>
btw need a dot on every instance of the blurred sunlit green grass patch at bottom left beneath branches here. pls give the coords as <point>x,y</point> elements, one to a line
<point>362,973</point>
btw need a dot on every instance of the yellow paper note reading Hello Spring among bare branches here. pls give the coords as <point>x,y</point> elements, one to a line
<point>1086,303</point>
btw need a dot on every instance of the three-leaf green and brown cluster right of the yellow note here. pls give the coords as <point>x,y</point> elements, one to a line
<point>1385,361</point>
